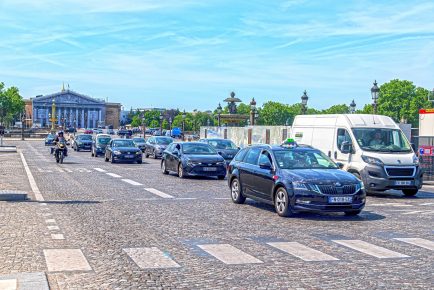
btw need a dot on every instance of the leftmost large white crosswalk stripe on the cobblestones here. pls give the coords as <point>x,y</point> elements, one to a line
<point>66,260</point>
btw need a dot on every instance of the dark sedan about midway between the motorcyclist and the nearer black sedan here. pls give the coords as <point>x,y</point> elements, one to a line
<point>123,150</point>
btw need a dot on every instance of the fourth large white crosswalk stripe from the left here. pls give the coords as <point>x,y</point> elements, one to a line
<point>301,251</point>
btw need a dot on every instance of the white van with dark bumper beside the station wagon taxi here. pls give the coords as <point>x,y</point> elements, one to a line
<point>372,147</point>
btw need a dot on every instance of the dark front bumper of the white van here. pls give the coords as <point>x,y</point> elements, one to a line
<point>375,179</point>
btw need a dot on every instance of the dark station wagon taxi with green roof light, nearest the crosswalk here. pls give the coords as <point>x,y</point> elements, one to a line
<point>294,179</point>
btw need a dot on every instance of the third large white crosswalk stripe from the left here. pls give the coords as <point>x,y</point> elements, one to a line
<point>229,254</point>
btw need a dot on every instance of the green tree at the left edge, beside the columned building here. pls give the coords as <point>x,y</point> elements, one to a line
<point>11,103</point>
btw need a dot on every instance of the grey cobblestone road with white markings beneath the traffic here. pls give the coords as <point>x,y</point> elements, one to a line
<point>128,226</point>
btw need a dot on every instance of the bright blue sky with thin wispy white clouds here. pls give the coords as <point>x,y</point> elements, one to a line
<point>191,54</point>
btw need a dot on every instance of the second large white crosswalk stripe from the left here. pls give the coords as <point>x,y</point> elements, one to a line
<point>151,258</point>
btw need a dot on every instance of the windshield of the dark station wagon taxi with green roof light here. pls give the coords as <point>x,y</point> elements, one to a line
<point>303,159</point>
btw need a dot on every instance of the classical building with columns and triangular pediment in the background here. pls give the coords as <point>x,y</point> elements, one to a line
<point>73,110</point>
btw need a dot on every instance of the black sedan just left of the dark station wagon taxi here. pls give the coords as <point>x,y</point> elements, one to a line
<point>193,159</point>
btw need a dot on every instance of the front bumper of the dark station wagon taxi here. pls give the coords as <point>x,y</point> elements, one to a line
<point>314,202</point>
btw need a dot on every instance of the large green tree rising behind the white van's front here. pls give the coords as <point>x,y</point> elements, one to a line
<point>401,99</point>
